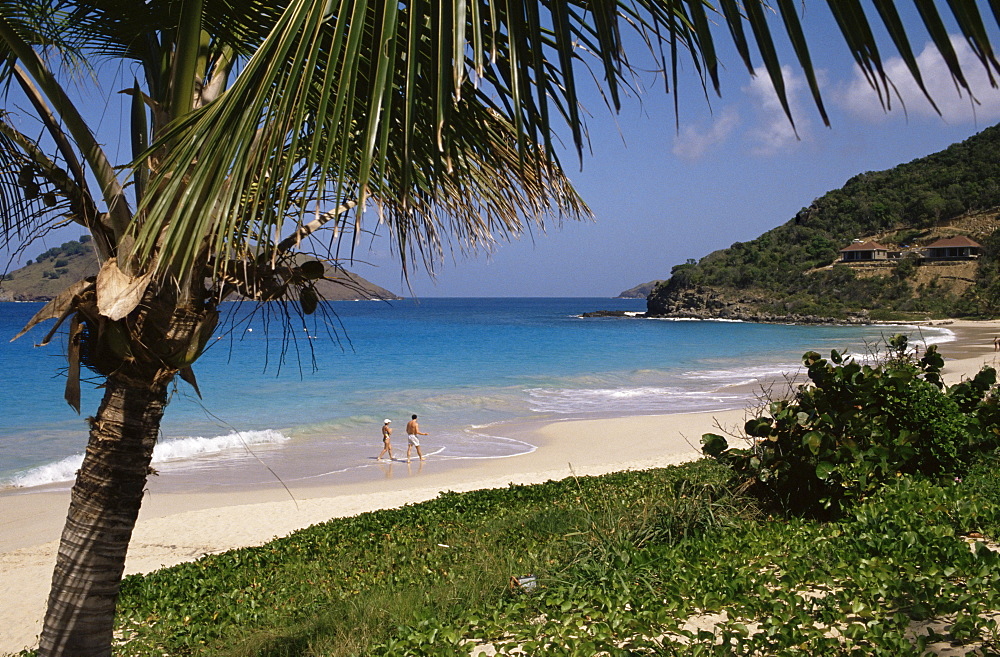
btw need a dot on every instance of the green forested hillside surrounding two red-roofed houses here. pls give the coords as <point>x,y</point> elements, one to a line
<point>791,272</point>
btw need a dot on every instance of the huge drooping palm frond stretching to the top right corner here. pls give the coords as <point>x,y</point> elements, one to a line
<point>370,100</point>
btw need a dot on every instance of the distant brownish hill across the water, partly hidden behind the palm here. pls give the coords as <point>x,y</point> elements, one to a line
<point>56,269</point>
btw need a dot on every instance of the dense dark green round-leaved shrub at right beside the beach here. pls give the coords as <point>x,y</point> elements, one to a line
<point>857,426</point>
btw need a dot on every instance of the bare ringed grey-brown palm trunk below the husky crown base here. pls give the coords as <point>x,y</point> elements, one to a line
<point>102,514</point>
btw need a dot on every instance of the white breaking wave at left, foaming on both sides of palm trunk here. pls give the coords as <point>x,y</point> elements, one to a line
<point>167,451</point>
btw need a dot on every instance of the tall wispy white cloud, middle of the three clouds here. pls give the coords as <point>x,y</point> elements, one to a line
<point>774,132</point>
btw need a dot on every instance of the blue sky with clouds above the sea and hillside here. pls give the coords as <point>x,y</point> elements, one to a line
<point>733,169</point>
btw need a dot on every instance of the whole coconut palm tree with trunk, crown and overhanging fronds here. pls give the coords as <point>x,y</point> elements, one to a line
<point>255,124</point>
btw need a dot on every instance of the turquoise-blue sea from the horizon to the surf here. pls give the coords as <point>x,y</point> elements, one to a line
<point>474,370</point>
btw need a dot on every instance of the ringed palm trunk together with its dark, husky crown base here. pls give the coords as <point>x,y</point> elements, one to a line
<point>108,492</point>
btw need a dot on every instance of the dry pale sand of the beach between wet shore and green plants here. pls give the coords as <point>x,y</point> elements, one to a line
<point>175,527</point>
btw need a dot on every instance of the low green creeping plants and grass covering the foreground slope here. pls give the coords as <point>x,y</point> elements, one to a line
<point>660,562</point>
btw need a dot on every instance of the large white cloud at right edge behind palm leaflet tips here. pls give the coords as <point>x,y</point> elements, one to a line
<point>861,100</point>
